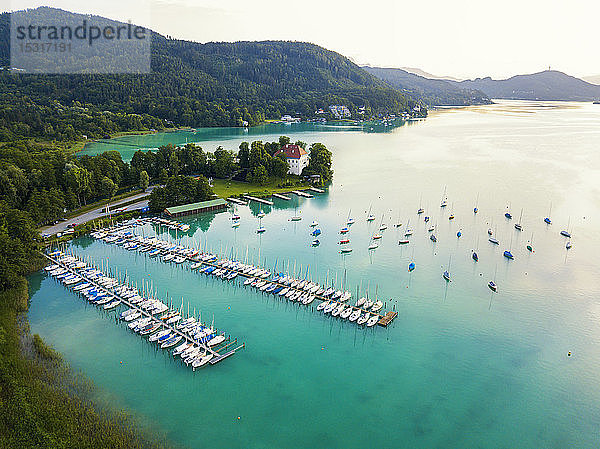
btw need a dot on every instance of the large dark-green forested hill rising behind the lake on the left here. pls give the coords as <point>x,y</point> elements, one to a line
<point>193,84</point>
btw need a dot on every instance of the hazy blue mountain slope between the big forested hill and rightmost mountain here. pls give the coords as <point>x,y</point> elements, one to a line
<point>430,91</point>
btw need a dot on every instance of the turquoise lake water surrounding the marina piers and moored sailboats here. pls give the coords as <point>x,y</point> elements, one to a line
<point>459,367</point>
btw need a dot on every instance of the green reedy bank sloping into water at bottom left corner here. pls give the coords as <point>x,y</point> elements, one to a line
<point>46,405</point>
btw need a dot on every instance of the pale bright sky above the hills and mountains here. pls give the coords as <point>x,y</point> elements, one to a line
<point>459,38</point>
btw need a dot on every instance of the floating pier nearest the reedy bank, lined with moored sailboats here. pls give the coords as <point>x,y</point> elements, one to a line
<point>55,258</point>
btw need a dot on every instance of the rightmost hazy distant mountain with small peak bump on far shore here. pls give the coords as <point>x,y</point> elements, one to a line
<point>546,85</point>
